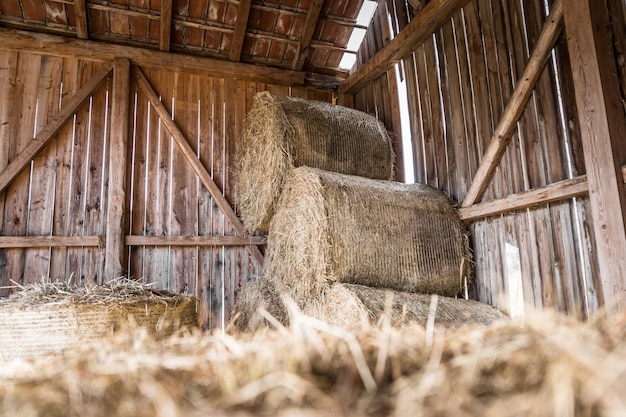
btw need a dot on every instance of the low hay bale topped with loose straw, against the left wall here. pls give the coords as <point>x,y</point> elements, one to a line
<point>54,316</point>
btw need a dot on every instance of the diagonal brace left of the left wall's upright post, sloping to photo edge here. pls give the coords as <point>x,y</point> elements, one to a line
<point>52,128</point>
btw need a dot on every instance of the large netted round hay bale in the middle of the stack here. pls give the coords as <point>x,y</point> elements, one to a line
<point>332,227</point>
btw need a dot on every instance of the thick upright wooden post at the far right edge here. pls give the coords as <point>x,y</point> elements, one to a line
<point>603,130</point>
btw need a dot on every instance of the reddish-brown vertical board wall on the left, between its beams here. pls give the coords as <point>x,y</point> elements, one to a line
<point>63,193</point>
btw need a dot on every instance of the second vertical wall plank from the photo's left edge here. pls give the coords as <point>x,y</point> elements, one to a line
<point>17,194</point>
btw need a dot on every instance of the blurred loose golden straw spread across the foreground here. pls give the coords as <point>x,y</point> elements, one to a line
<point>543,367</point>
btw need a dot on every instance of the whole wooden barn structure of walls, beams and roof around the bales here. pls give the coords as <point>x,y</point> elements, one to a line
<point>120,125</point>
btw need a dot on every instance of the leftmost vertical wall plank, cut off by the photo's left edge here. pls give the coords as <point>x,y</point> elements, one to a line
<point>8,77</point>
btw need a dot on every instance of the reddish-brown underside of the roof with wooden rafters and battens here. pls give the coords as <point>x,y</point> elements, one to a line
<point>309,35</point>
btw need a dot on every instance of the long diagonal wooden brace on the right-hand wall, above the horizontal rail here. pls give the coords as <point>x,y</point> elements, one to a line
<point>516,105</point>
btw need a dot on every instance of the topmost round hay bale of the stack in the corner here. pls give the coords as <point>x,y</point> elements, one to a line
<point>281,133</point>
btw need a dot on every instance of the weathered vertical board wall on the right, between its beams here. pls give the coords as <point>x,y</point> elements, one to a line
<point>459,82</point>
